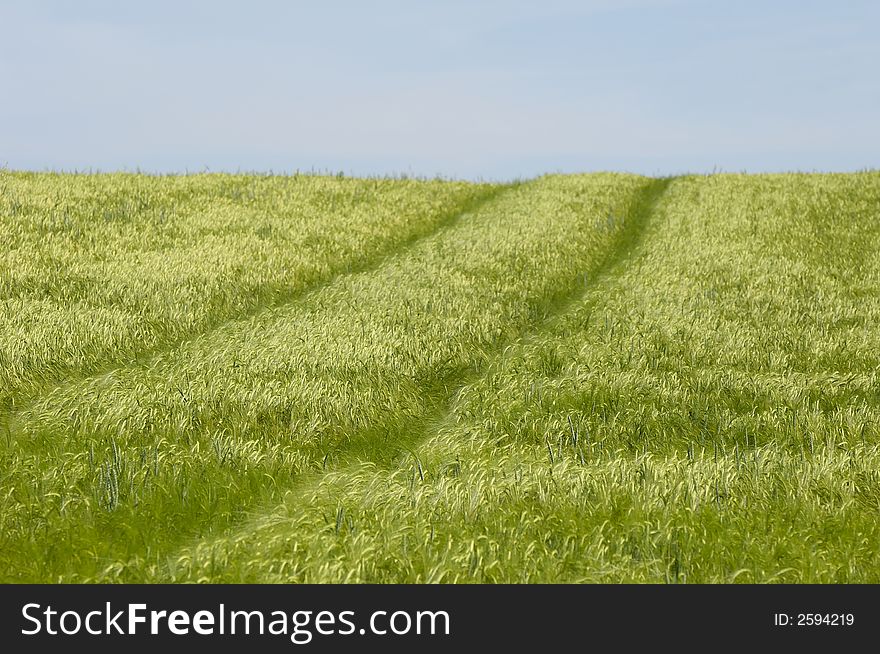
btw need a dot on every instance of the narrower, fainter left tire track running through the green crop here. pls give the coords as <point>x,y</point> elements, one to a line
<point>365,264</point>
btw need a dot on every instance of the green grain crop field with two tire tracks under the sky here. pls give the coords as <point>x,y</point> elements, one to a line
<point>577,378</point>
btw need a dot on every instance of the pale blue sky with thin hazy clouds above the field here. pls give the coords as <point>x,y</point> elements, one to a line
<point>475,89</point>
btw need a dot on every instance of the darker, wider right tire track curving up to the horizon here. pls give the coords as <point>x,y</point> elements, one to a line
<point>408,437</point>
